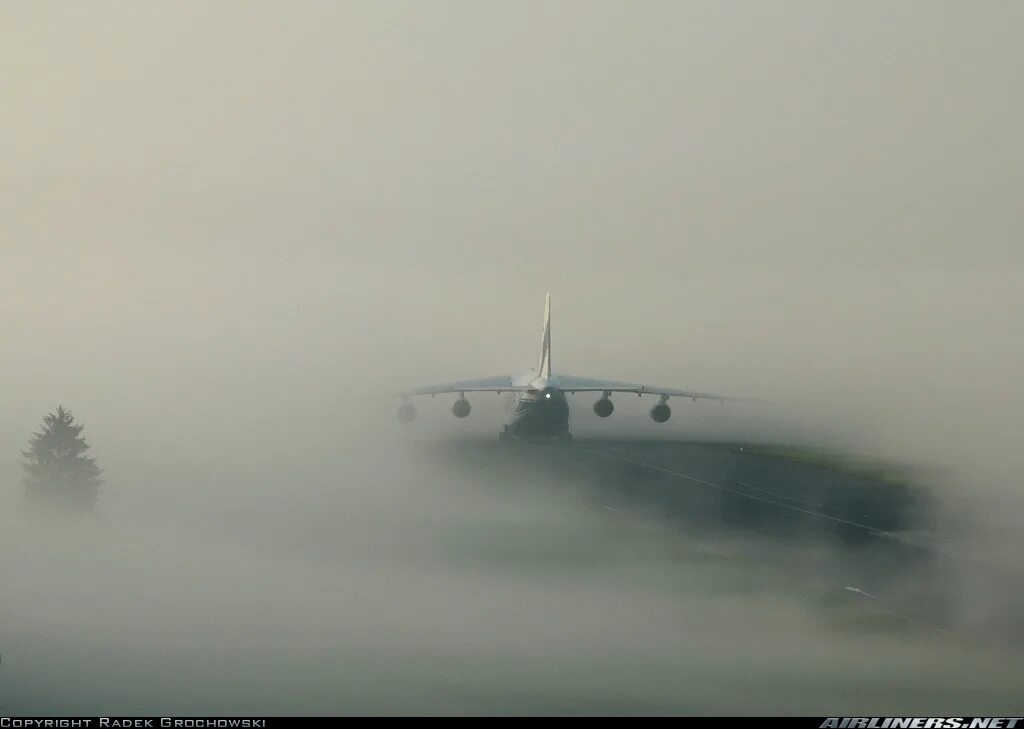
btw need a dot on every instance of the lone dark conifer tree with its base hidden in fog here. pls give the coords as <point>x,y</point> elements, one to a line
<point>58,474</point>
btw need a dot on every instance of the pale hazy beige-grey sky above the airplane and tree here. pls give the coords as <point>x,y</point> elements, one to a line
<point>246,206</point>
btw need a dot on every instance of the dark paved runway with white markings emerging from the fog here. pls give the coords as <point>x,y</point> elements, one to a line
<point>852,544</point>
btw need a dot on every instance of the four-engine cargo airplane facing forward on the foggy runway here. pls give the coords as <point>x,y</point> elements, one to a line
<point>540,409</point>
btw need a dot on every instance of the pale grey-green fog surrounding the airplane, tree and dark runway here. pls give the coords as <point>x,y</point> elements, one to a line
<point>233,234</point>
